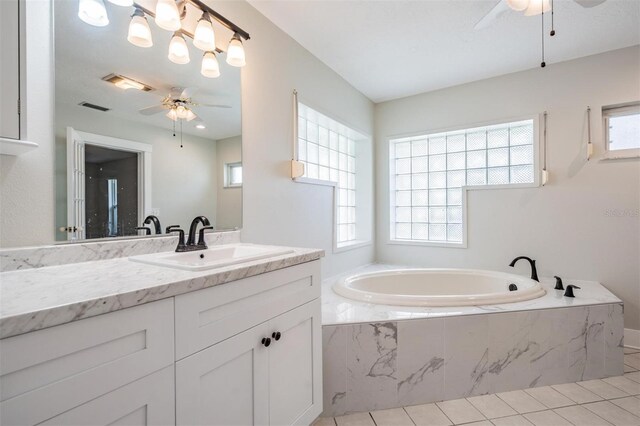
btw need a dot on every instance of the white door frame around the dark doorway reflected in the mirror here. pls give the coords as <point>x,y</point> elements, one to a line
<point>79,139</point>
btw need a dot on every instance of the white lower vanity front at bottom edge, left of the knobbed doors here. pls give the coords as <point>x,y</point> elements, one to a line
<point>148,401</point>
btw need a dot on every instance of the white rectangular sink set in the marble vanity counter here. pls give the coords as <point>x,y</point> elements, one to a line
<point>213,257</point>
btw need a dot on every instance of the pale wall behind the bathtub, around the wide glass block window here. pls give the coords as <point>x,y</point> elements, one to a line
<point>565,225</point>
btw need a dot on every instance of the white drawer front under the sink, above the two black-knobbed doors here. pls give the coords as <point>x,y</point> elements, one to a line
<point>208,316</point>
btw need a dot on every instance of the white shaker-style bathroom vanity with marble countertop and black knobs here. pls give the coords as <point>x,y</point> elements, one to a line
<point>121,342</point>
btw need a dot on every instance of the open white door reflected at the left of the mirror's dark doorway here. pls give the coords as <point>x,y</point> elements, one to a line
<point>75,186</point>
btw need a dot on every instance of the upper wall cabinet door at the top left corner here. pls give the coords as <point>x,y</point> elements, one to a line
<point>9,69</point>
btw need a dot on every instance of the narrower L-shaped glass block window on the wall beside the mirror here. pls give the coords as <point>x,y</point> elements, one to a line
<point>327,149</point>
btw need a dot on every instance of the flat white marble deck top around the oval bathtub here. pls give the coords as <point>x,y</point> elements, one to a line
<point>340,310</point>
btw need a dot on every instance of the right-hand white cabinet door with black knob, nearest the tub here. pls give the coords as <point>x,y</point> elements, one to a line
<point>295,366</point>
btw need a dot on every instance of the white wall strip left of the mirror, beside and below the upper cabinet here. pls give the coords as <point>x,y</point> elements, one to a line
<point>26,182</point>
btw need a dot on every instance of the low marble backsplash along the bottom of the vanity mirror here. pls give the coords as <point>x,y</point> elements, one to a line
<point>88,251</point>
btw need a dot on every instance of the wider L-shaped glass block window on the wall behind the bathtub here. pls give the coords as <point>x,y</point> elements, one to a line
<point>427,174</point>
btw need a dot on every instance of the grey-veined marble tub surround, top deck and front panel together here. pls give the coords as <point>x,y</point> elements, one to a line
<point>379,357</point>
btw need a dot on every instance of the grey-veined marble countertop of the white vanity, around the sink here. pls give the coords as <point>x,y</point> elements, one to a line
<point>33,299</point>
